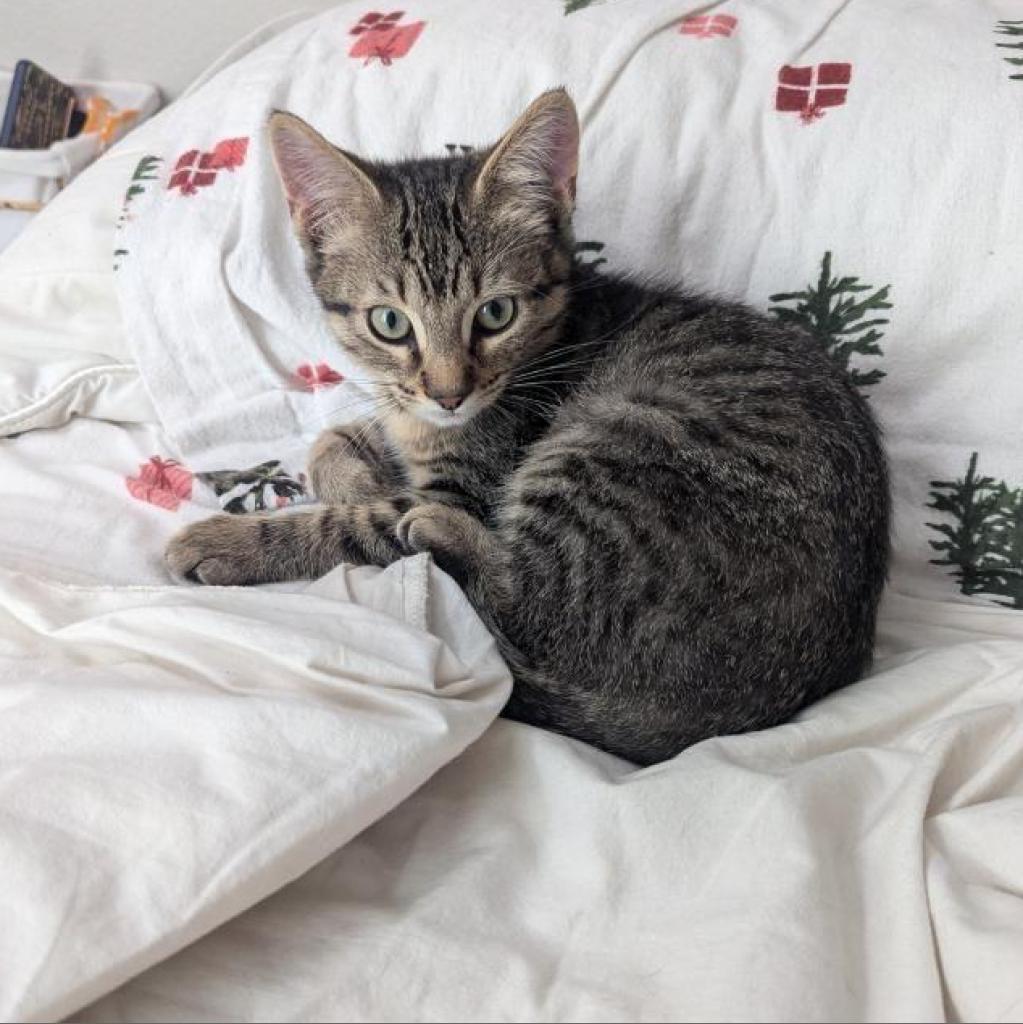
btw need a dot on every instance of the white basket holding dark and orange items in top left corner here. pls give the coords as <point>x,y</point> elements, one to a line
<point>29,179</point>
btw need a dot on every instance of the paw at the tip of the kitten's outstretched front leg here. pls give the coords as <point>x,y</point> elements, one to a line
<point>223,551</point>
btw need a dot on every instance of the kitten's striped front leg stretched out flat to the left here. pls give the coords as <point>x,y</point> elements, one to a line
<point>235,550</point>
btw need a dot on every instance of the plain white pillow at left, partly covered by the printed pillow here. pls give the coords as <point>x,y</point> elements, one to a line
<point>63,349</point>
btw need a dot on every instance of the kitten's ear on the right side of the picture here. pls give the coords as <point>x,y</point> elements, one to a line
<point>538,158</point>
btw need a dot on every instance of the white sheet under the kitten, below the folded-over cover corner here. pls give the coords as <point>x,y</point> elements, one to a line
<point>863,864</point>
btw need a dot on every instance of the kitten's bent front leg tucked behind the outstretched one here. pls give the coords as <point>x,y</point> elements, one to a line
<point>351,465</point>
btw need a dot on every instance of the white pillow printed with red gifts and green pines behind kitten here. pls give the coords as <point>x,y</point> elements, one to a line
<point>735,153</point>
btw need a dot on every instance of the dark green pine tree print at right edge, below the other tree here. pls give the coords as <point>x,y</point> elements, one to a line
<point>986,545</point>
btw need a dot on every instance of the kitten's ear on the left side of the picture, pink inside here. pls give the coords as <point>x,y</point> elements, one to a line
<point>325,188</point>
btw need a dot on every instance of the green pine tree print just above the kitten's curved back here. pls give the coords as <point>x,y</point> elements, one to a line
<point>839,316</point>
